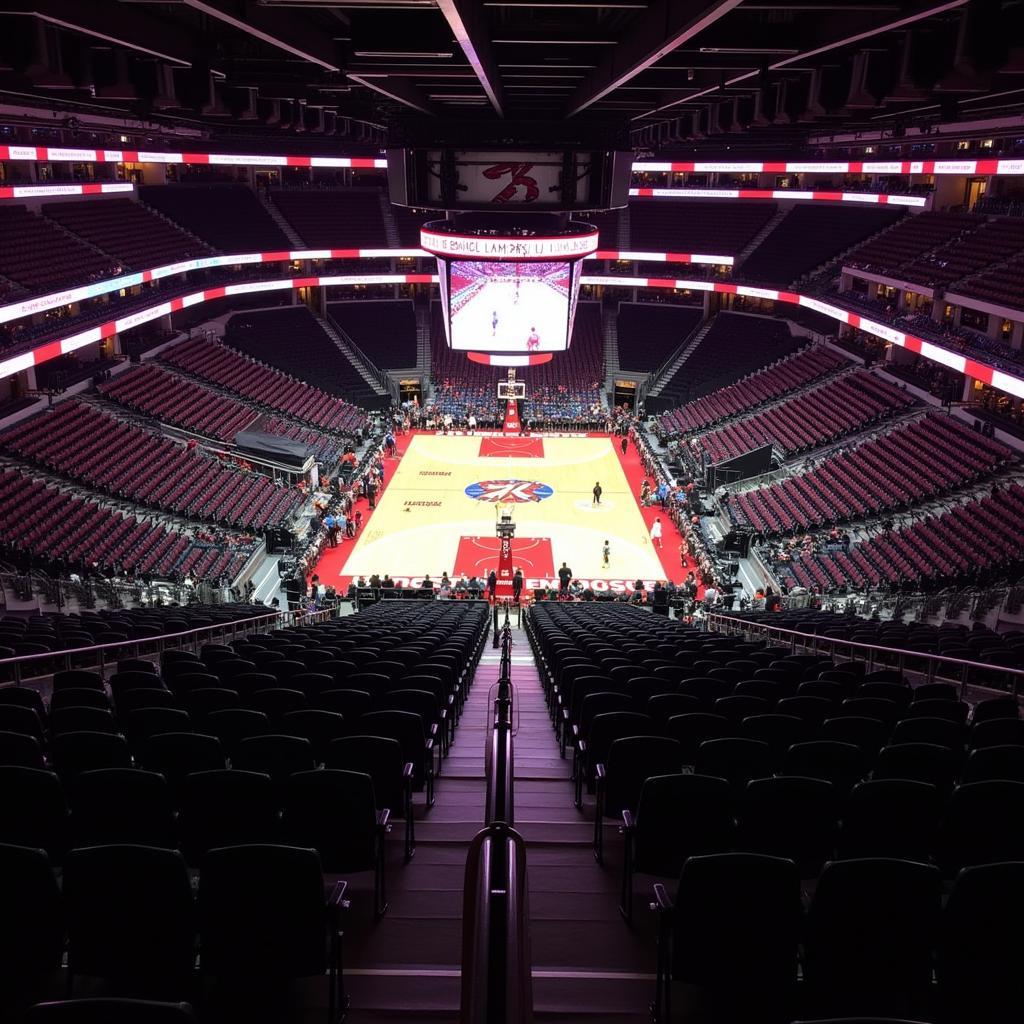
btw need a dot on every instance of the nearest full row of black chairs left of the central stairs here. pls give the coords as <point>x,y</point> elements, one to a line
<point>129,914</point>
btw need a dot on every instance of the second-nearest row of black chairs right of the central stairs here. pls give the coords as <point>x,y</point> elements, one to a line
<point>668,819</point>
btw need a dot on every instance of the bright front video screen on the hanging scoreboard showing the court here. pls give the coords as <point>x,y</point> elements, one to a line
<point>520,308</point>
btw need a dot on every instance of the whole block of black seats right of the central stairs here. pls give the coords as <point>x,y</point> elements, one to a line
<point>744,776</point>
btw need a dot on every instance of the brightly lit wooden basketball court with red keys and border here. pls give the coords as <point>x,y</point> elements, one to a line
<point>439,510</point>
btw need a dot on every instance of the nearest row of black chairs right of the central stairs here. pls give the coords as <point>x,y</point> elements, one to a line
<point>876,938</point>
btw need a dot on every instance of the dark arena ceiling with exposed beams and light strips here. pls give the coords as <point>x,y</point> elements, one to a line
<point>769,73</point>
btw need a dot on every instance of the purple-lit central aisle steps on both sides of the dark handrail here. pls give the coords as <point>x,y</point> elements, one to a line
<point>589,966</point>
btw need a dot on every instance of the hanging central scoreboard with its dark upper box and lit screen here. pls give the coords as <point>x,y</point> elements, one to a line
<point>509,253</point>
